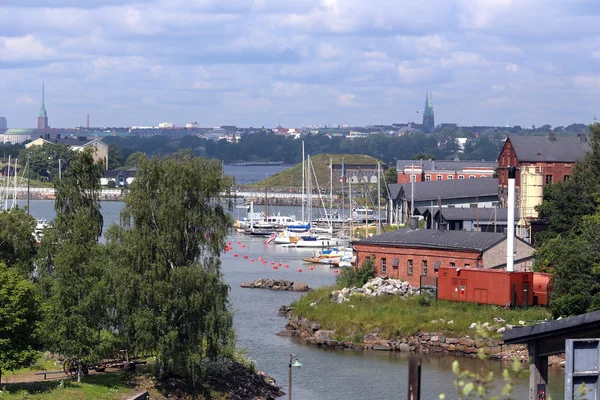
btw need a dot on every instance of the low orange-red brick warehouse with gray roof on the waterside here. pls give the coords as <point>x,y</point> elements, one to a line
<point>409,254</point>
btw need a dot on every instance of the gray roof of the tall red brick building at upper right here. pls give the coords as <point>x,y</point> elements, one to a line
<point>541,148</point>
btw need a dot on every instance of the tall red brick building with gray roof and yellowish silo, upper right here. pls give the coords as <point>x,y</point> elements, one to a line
<point>551,158</point>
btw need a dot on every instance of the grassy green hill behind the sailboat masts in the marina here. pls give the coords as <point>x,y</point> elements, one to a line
<point>292,177</point>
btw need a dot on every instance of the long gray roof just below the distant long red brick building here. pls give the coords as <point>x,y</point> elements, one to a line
<point>454,189</point>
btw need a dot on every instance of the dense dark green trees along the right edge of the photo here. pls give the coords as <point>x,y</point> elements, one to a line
<point>570,248</point>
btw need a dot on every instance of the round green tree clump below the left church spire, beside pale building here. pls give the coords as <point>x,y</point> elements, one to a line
<point>43,160</point>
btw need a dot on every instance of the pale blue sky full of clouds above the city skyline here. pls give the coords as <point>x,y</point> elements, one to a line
<point>251,62</point>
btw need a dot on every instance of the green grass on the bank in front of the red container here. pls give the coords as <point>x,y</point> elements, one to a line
<point>393,316</point>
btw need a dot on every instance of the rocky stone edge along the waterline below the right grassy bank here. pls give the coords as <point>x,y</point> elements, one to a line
<point>424,342</point>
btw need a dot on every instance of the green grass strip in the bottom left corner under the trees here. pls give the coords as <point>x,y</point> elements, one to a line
<point>93,387</point>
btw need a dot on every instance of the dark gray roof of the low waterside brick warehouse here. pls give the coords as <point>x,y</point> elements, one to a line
<point>433,238</point>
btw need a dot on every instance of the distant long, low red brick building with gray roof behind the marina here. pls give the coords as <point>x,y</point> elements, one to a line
<point>432,170</point>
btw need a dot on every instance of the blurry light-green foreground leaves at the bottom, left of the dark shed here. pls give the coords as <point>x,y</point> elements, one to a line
<point>480,384</point>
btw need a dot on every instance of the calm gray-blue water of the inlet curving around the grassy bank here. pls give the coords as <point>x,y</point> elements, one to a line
<point>325,374</point>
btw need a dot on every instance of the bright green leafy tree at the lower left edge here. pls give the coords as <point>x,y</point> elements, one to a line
<point>20,314</point>
